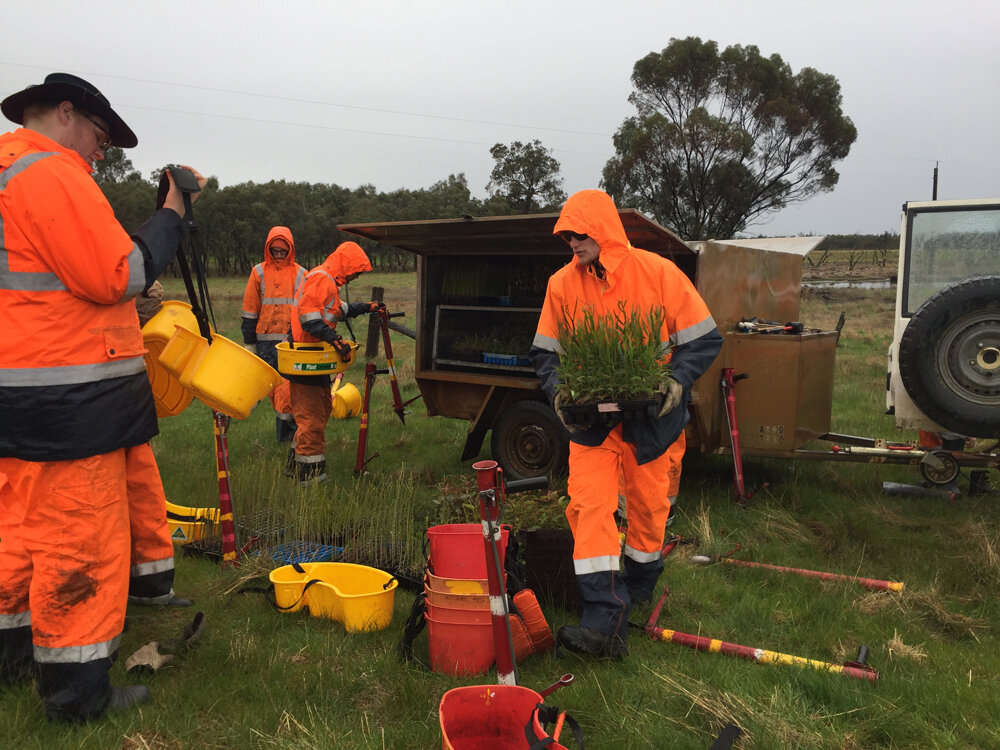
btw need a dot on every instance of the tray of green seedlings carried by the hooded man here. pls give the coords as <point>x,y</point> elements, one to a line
<point>610,364</point>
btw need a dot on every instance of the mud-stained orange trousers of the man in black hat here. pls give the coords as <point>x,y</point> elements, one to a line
<point>64,551</point>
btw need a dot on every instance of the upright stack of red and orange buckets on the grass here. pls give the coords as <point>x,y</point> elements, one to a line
<point>457,601</point>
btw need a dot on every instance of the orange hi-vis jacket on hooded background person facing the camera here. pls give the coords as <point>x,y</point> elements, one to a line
<point>271,290</point>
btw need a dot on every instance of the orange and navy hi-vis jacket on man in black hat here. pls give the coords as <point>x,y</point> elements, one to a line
<point>72,376</point>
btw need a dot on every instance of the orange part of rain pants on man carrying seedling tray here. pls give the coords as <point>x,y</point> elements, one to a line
<point>593,493</point>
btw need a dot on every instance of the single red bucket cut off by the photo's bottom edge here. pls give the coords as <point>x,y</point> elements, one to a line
<point>489,717</point>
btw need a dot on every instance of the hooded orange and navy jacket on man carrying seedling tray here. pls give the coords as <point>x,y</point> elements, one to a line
<point>642,281</point>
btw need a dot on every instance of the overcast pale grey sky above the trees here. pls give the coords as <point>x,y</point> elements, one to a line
<point>400,94</point>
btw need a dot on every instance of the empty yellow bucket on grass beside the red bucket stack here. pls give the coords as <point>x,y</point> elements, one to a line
<point>358,596</point>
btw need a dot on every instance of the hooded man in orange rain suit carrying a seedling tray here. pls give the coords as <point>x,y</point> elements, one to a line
<point>609,271</point>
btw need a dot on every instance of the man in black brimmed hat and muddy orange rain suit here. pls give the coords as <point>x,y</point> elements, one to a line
<point>73,399</point>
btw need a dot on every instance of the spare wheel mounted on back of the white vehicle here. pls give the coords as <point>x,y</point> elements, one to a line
<point>949,357</point>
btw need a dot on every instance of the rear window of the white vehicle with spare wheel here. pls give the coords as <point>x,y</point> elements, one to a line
<point>946,247</point>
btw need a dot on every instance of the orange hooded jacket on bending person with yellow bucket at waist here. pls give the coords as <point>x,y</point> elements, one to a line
<point>319,297</point>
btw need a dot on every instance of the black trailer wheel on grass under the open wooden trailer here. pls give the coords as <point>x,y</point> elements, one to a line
<point>529,441</point>
